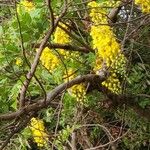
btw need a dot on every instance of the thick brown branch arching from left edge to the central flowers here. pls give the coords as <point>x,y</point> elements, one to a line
<point>51,95</point>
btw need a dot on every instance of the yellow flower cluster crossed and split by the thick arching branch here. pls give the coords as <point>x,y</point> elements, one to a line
<point>78,90</point>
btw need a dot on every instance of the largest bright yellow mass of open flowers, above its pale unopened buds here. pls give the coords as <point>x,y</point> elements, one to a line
<point>105,43</point>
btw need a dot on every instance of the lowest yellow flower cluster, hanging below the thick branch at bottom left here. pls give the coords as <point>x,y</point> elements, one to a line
<point>38,132</point>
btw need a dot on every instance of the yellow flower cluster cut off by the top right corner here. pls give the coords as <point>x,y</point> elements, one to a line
<point>145,5</point>
